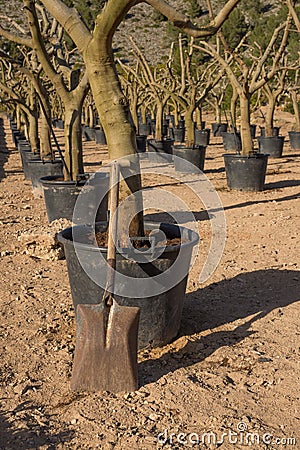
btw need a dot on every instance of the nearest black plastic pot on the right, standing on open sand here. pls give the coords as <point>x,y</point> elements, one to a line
<point>246,173</point>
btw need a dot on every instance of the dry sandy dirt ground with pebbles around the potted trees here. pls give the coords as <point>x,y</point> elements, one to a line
<point>231,377</point>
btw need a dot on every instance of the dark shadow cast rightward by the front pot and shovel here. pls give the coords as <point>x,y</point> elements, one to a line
<point>253,295</point>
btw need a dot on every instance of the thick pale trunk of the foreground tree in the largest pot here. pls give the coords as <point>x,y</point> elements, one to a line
<point>115,117</point>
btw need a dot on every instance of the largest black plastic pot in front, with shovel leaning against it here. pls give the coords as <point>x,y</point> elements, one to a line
<point>161,313</point>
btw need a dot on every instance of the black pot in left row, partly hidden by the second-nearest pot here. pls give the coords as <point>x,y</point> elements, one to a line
<point>38,168</point>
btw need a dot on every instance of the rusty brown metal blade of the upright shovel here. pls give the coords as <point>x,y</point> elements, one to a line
<point>106,348</point>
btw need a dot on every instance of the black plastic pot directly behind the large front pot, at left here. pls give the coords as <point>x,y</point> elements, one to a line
<point>60,198</point>
